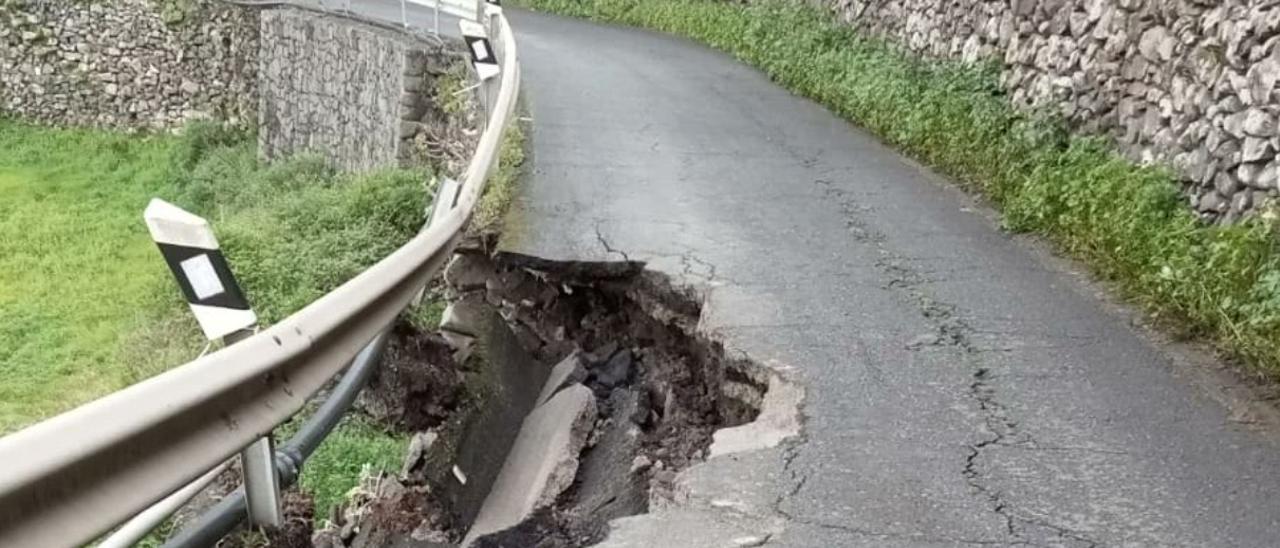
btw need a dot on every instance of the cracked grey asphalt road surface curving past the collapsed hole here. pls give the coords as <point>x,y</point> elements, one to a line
<point>963,387</point>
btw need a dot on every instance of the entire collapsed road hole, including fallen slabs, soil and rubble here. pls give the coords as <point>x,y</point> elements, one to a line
<point>580,391</point>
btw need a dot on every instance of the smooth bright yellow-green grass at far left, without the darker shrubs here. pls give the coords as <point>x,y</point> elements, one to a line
<point>77,270</point>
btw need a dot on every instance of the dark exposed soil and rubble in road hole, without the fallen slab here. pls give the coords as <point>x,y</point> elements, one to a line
<point>661,387</point>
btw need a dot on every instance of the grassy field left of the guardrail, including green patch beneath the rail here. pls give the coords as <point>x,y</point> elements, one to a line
<point>88,305</point>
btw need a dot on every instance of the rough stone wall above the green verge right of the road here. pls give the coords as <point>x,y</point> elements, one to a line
<point>1191,84</point>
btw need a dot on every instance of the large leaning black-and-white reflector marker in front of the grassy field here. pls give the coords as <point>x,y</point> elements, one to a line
<point>189,246</point>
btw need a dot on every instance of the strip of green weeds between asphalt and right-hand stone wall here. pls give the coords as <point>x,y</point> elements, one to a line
<point>1130,223</point>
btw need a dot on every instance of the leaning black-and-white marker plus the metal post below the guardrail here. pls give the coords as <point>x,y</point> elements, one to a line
<point>191,252</point>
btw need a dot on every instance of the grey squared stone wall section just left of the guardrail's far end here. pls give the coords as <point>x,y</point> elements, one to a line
<point>358,93</point>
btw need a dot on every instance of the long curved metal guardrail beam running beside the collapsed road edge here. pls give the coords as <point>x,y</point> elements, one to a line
<point>72,478</point>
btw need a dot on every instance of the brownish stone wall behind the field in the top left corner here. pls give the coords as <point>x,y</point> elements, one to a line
<point>127,63</point>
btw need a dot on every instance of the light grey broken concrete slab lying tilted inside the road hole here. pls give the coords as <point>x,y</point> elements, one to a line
<point>542,464</point>
